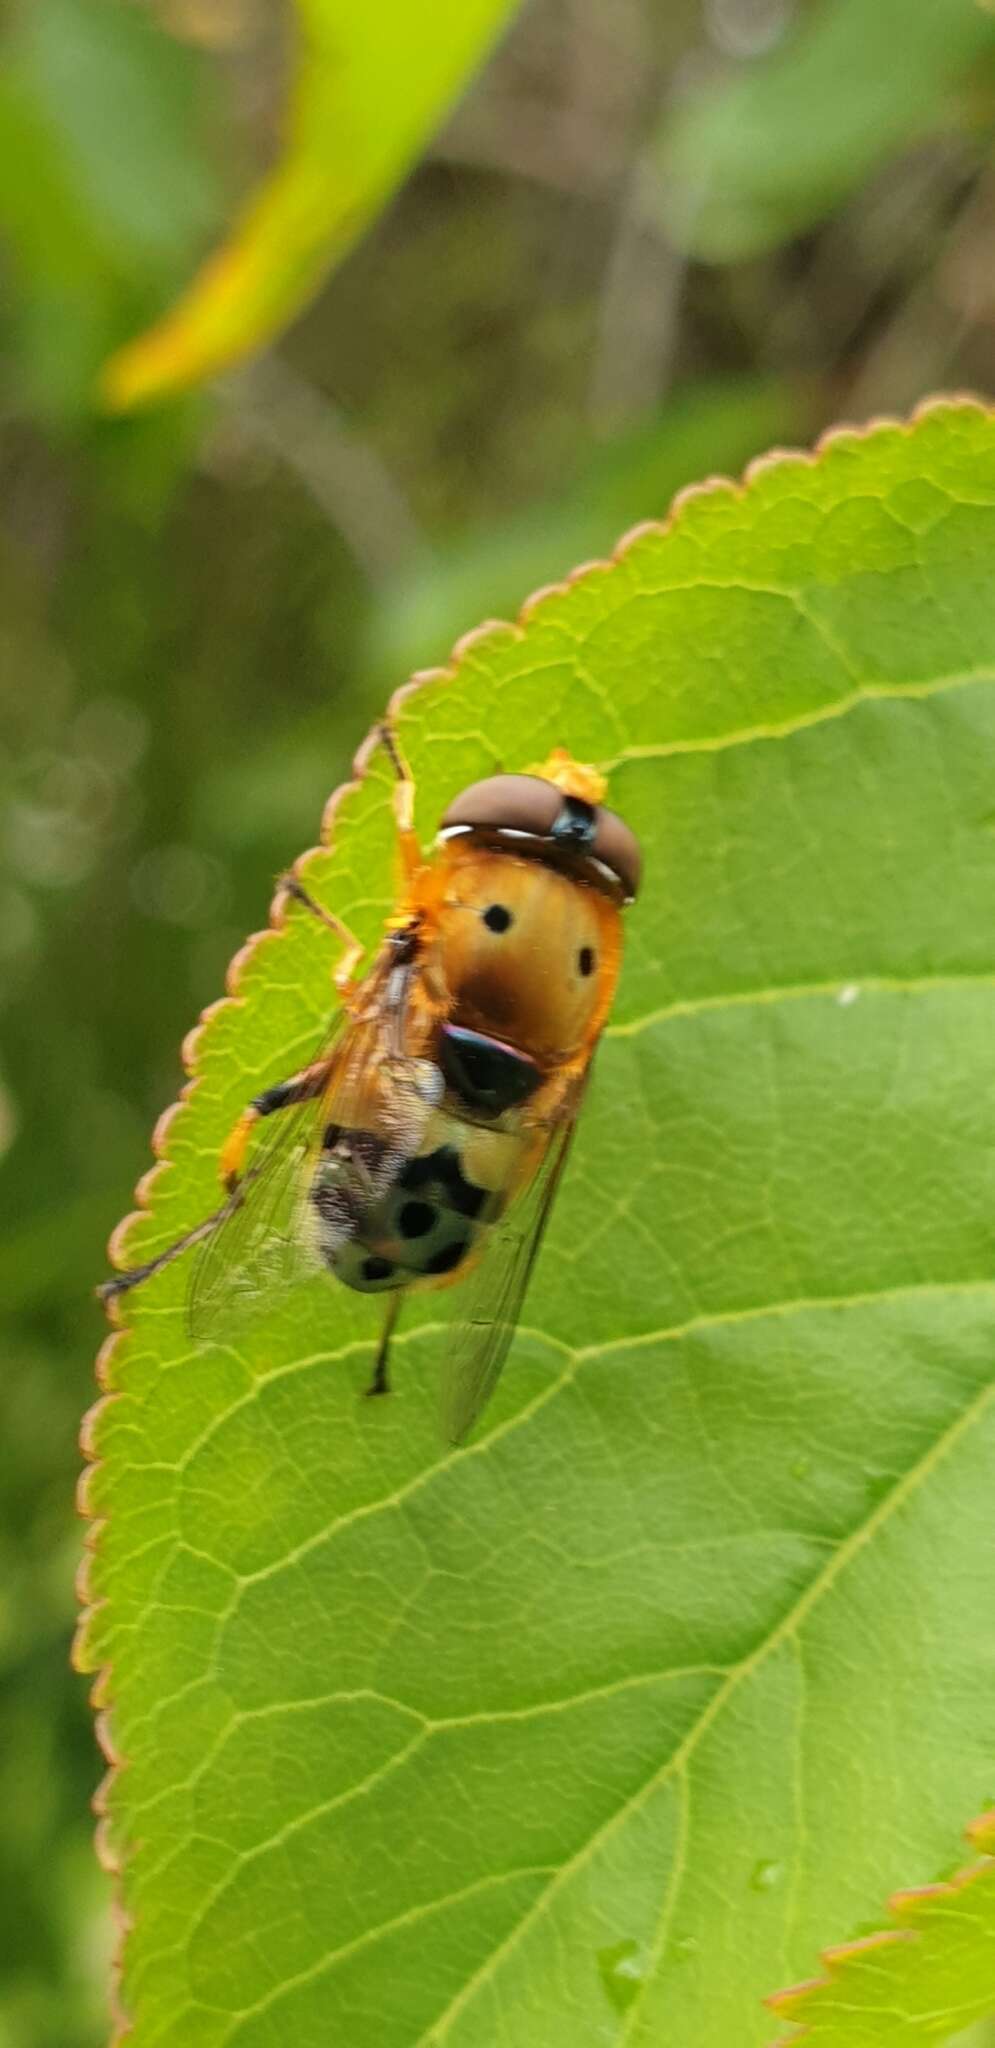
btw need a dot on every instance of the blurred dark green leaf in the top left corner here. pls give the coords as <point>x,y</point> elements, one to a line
<point>103,214</point>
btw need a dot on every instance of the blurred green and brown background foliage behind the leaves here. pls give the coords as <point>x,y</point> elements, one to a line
<point>654,239</point>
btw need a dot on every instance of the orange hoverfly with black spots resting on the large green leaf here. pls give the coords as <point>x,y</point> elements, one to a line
<point>427,1140</point>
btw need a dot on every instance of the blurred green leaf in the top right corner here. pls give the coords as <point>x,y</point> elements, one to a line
<point>775,148</point>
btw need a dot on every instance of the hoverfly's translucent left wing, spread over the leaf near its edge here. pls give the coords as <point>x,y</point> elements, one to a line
<point>265,1244</point>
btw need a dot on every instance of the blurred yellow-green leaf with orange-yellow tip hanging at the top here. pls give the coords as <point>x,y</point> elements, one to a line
<point>372,87</point>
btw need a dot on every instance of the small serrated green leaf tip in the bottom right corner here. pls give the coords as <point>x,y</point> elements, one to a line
<point>916,1981</point>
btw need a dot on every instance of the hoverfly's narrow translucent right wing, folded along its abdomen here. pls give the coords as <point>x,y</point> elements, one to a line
<point>499,1287</point>
